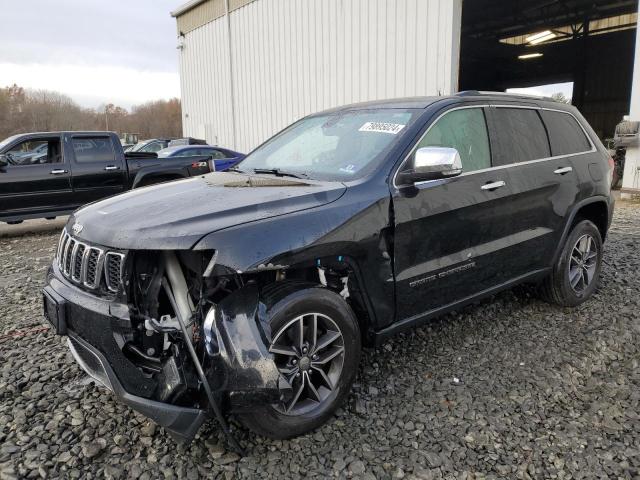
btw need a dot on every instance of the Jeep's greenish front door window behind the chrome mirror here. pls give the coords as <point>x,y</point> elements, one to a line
<point>466,131</point>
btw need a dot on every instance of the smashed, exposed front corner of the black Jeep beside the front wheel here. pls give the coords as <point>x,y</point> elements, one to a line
<point>224,321</point>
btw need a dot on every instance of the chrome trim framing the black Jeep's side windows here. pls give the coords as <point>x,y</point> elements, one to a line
<point>497,167</point>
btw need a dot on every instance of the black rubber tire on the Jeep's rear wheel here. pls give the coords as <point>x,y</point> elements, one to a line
<point>557,287</point>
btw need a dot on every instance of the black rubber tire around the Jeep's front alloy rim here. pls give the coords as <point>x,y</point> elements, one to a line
<point>271,420</point>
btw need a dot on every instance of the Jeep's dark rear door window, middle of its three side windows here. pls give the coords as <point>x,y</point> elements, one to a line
<point>520,134</point>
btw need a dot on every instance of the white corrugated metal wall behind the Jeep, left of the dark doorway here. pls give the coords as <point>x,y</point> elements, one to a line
<point>290,58</point>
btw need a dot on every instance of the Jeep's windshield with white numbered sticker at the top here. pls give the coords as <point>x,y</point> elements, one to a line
<point>338,146</point>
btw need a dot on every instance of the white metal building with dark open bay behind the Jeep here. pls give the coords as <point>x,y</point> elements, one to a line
<point>249,68</point>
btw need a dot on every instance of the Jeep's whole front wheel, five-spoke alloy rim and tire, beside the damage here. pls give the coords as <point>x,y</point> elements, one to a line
<point>316,347</point>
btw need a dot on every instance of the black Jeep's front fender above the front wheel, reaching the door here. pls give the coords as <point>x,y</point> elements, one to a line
<point>355,231</point>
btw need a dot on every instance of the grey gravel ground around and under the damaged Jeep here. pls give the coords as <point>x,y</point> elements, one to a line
<point>509,388</point>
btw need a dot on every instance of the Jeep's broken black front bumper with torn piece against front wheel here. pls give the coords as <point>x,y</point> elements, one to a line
<point>238,364</point>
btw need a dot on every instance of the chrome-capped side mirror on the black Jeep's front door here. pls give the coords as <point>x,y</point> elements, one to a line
<point>432,163</point>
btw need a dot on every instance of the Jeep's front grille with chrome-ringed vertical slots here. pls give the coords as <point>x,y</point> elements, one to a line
<point>86,265</point>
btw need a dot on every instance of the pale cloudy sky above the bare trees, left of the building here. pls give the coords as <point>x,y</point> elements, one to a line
<point>96,52</point>
